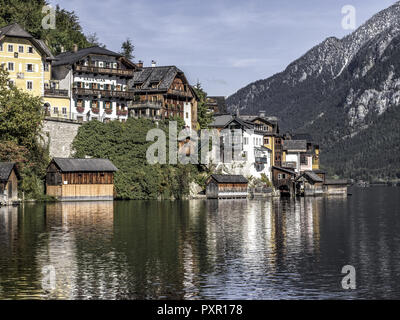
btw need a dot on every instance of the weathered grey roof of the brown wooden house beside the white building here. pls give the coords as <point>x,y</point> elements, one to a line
<point>163,76</point>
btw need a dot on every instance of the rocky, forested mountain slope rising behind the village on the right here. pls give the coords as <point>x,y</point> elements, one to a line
<point>345,93</point>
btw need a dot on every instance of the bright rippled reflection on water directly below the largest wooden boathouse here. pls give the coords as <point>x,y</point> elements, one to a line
<point>71,227</point>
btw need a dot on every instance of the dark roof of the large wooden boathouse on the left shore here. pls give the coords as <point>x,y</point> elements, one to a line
<point>85,165</point>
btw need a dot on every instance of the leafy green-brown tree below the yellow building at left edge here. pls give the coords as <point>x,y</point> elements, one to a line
<point>20,139</point>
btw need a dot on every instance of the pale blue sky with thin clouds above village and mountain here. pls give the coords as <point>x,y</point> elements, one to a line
<point>224,44</point>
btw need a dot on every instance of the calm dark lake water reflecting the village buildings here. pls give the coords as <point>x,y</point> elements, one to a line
<point>242,249</point>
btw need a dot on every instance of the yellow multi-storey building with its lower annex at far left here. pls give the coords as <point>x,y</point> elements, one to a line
<point>28,61</point>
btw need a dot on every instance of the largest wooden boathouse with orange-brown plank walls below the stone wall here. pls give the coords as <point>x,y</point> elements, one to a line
<point>80,179</point>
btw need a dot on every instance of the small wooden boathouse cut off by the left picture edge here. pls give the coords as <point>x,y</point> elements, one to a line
<point>8,183</point>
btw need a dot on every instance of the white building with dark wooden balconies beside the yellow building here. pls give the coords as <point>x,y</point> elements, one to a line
<point>97,82</point>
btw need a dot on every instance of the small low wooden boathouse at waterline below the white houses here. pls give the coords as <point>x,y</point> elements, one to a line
<point>221,186</point>
